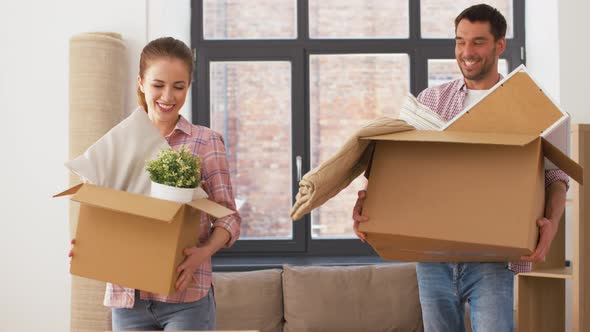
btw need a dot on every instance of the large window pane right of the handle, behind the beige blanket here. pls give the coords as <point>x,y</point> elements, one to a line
<point>340,100</point>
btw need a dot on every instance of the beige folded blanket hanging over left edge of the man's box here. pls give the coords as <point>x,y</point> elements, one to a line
<point>336,173</point>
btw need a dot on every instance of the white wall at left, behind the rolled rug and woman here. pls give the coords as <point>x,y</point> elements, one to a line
<point>34,34</point>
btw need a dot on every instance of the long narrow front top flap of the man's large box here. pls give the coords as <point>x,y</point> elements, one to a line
<point>456,137</point>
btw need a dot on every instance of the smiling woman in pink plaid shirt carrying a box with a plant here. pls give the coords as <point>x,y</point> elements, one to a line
<point>164,79</point>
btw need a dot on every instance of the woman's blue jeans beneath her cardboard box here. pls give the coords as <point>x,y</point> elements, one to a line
<point>149,315</point>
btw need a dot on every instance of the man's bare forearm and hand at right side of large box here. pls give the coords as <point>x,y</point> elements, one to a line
<point>555,196</point>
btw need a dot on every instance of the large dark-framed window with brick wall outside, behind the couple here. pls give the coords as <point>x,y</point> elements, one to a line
<point>286,81</point>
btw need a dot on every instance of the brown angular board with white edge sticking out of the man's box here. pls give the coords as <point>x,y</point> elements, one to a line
<point>515,105</point>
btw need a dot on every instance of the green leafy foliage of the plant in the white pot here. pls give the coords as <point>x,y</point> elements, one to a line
<point>175,168</point>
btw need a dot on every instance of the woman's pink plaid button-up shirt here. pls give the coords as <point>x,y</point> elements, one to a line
<point>208,145</point>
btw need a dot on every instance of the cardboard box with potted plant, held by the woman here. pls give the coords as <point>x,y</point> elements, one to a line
<point>134,240</point>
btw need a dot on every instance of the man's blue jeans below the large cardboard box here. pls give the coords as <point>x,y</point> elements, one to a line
<point>445,287</point>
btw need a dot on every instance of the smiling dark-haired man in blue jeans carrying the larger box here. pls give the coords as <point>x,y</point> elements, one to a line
<point>487,287</point>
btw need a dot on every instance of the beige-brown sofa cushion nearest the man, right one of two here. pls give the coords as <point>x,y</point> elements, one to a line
<point>366,298</point>
